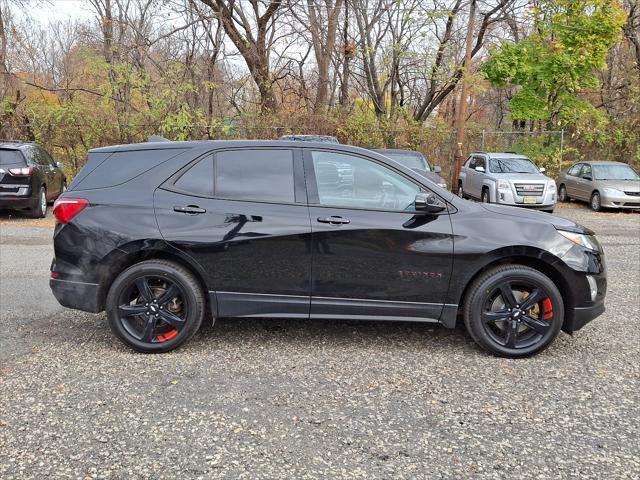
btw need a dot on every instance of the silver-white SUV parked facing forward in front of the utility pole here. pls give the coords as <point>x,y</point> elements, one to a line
<point>508,179</point>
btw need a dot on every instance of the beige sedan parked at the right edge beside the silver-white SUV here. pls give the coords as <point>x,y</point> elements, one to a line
<point>602,184</point>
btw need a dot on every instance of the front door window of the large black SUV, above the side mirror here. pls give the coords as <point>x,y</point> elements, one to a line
<point>353,182</point>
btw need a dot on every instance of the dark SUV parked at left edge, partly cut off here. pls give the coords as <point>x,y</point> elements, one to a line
<point>29,177</point>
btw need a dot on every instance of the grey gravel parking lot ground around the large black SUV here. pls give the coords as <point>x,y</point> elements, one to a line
<point>311,399</point>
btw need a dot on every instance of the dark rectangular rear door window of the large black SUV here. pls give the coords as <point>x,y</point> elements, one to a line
<point>260,175</point>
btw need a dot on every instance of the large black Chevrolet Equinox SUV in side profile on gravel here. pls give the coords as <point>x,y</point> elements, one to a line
<point>164,235</point>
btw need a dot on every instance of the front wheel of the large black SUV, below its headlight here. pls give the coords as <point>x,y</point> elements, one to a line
<point>545,316</point>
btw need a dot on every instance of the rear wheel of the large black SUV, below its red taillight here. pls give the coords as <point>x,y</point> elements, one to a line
<point>148,310</point>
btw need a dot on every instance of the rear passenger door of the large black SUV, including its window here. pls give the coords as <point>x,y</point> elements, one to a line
<point>247,226</point>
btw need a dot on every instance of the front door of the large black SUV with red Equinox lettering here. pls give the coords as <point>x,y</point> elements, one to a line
<point>373,254</point>
